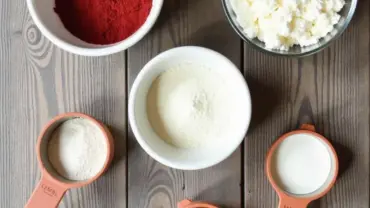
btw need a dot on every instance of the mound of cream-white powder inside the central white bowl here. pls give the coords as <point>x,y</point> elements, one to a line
<point>190,105</point>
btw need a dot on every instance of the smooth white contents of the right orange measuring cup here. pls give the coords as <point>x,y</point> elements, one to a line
<point>302,164</point>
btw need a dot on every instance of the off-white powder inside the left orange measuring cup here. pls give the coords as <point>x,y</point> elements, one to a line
<point>77,149</point>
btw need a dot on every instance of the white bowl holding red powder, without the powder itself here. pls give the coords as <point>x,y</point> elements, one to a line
<point>42,13</point>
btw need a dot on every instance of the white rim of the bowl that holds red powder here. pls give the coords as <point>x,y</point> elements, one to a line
<point>106,49</point>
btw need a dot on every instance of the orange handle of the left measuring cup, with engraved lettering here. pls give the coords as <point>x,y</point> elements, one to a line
<point>47,194</point>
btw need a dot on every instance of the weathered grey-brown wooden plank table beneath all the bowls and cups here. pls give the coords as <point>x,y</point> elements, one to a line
<point>39,80</point>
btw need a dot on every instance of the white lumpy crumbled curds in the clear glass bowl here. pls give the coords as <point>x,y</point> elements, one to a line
<point>280,24</point>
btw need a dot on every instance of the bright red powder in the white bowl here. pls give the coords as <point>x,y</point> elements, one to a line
<point>103,21</point>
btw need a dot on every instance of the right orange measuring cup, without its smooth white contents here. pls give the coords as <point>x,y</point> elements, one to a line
<point>291,200</point>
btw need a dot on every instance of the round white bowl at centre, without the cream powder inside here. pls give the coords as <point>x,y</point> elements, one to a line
<point>181,158</point>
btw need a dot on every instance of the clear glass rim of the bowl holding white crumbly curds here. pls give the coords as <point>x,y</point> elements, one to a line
<point>302,54</point>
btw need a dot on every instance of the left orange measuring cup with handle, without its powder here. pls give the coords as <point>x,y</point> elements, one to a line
<point>52,187</point>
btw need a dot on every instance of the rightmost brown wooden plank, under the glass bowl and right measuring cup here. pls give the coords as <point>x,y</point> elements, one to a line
<point>330,90</point>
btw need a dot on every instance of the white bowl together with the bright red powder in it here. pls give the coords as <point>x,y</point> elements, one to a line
<point>94,27</point>
